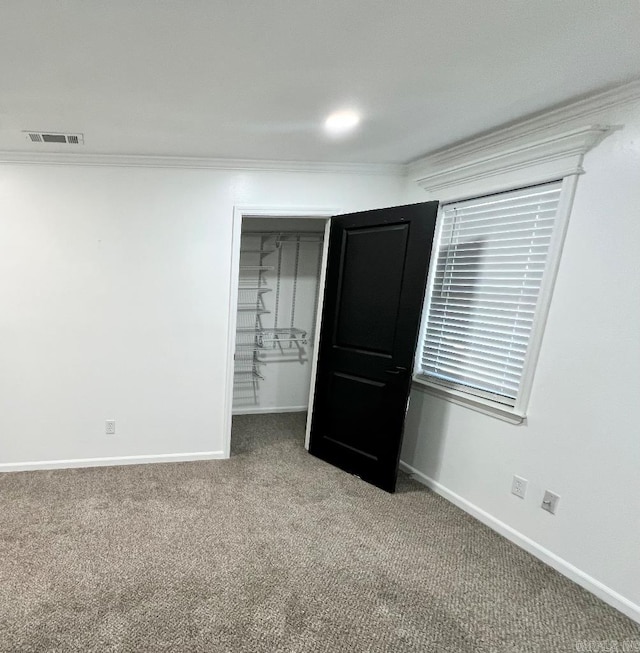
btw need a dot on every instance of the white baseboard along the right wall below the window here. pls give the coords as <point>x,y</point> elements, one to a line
<point>617,601</point>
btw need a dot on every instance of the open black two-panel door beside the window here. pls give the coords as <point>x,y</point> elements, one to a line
<point>376,278</point>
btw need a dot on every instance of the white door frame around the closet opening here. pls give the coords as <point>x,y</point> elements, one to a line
<point>249,211</point>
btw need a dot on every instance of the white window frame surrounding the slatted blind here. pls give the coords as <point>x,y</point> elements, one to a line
<point>458,394</point>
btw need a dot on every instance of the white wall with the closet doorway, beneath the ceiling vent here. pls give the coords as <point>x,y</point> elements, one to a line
<point>114,302</point>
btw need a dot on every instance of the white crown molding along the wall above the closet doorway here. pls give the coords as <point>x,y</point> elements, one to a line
<point>198,163</point>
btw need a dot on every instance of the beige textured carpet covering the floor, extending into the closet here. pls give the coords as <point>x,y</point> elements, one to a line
<point>270,551</point>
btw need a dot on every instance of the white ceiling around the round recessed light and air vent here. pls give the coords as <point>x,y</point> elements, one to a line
<point>256,78</point>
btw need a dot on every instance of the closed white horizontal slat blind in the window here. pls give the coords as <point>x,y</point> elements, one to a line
<point>491,259</point>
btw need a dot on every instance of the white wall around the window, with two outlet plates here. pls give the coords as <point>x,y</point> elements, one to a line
<point>582,436</point>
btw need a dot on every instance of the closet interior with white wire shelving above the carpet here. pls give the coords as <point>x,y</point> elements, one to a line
<point>278,295</point>
